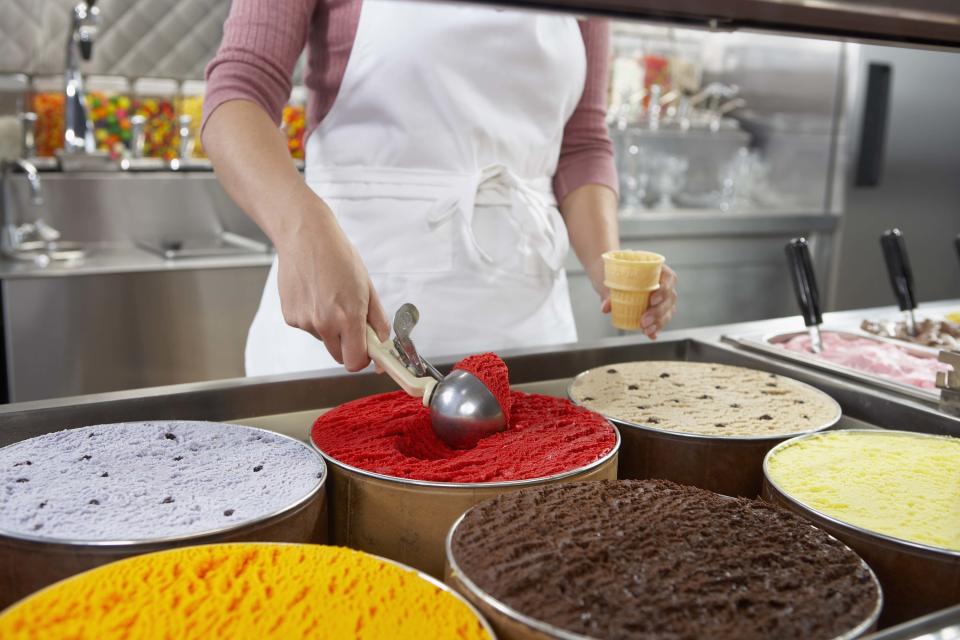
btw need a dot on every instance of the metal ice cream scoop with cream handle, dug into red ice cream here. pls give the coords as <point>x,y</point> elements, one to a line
<point>462,409</point>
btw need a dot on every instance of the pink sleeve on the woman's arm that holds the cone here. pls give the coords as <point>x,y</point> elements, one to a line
<point>586,154</point>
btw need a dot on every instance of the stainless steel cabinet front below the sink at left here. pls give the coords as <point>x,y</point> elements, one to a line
<point>88,334</point>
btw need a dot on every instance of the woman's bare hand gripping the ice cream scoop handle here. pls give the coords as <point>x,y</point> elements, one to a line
<point>325,289</point>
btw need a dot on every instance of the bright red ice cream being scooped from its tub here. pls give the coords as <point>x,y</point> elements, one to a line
<point>390,434</point>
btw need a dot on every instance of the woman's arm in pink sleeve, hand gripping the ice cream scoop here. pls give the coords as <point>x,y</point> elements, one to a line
<point>324,286</point>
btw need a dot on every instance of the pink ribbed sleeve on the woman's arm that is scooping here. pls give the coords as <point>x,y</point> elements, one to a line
<point>261,44</point>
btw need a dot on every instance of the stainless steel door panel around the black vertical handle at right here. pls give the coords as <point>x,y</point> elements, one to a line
<point>918,189</point>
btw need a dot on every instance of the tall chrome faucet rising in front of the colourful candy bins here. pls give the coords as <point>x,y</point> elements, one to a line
<point>78,128</point>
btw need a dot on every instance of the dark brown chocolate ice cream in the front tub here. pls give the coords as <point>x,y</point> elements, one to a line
<point>649,558</point>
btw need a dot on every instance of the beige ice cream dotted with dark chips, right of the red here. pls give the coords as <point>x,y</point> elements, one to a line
<point>704,398</point>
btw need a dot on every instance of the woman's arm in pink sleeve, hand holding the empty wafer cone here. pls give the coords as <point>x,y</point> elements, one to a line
<point>586,183</point>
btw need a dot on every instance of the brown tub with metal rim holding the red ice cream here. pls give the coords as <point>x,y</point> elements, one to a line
<point>407,520</point>
